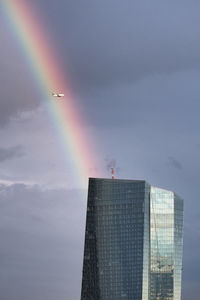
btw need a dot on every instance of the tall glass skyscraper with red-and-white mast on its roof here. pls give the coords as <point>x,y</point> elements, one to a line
<point>133,242</point>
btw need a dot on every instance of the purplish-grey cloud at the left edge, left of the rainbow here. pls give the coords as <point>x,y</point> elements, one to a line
<point>19,92</point>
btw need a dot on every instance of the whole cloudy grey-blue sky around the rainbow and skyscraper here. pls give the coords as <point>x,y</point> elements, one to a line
<point>133,69</point>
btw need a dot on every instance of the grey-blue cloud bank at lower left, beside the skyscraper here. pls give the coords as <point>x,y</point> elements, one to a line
<point>42,235</point>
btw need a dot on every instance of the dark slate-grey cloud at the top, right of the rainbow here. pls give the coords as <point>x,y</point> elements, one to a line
<point>118,42</point>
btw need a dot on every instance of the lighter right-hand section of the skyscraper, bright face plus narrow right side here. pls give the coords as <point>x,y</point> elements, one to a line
<point>166,244</point>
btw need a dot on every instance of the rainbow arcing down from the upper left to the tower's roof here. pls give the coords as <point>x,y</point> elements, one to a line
<point>48,74</point>
